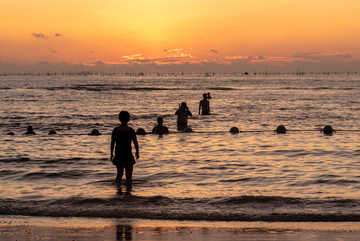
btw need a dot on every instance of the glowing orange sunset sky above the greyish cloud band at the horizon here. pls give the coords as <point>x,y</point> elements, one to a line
<point>193,31</point>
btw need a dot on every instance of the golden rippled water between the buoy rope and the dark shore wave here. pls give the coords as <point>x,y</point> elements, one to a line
<point>197,165</point>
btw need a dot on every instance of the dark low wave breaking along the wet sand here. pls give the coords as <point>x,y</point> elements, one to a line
<point>242,208</point>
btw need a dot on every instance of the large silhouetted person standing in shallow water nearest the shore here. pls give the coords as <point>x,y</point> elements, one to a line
<point>121,139</point>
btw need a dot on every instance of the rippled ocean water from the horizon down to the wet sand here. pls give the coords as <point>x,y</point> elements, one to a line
<point>210,174</point>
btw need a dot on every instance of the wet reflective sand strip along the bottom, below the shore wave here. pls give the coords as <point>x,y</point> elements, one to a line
<point>39,228</point>
